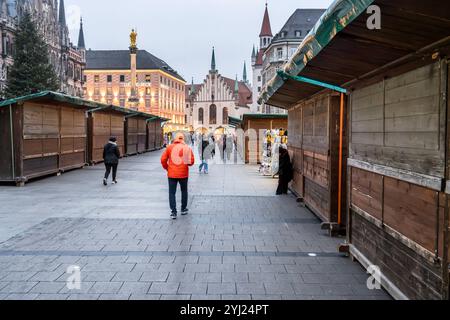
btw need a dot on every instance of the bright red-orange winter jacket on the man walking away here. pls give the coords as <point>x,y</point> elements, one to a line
<point>177,159</point>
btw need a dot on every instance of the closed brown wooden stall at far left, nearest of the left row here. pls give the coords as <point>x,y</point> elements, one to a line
<point>42,134</point>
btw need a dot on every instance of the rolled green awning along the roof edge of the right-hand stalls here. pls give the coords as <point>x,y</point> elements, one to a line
<point>339,15</point>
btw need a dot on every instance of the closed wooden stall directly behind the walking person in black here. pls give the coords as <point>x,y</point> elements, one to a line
<point>103,123</point>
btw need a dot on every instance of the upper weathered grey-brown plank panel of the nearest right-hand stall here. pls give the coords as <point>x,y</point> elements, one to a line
<point>396,123</point>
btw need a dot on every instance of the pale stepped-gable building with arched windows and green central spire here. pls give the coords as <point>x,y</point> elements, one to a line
<point>209,104</point>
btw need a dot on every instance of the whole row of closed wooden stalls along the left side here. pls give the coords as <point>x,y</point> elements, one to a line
<point>46,133</point>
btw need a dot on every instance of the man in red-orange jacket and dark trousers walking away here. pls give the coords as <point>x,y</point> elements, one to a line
<point>176,160</point>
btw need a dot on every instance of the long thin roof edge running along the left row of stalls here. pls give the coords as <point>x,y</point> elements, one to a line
<point>91,105</point>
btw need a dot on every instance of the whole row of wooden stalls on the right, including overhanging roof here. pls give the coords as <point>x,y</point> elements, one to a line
<point>370,136</point>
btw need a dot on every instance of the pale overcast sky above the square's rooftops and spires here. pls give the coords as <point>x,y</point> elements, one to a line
<point>182,32</point>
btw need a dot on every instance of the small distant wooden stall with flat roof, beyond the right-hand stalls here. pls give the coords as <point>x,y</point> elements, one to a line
<point>254,126</point>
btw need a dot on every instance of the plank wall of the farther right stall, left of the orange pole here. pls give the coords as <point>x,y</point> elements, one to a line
<point>314,143</point>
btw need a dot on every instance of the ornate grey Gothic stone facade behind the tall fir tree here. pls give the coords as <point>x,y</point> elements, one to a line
<point>50,17</point>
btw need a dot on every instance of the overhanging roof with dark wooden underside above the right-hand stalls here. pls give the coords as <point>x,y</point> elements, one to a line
<point>342,51</point>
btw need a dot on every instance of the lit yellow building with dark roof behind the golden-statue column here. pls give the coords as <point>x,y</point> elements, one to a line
<point>158,89</point>
